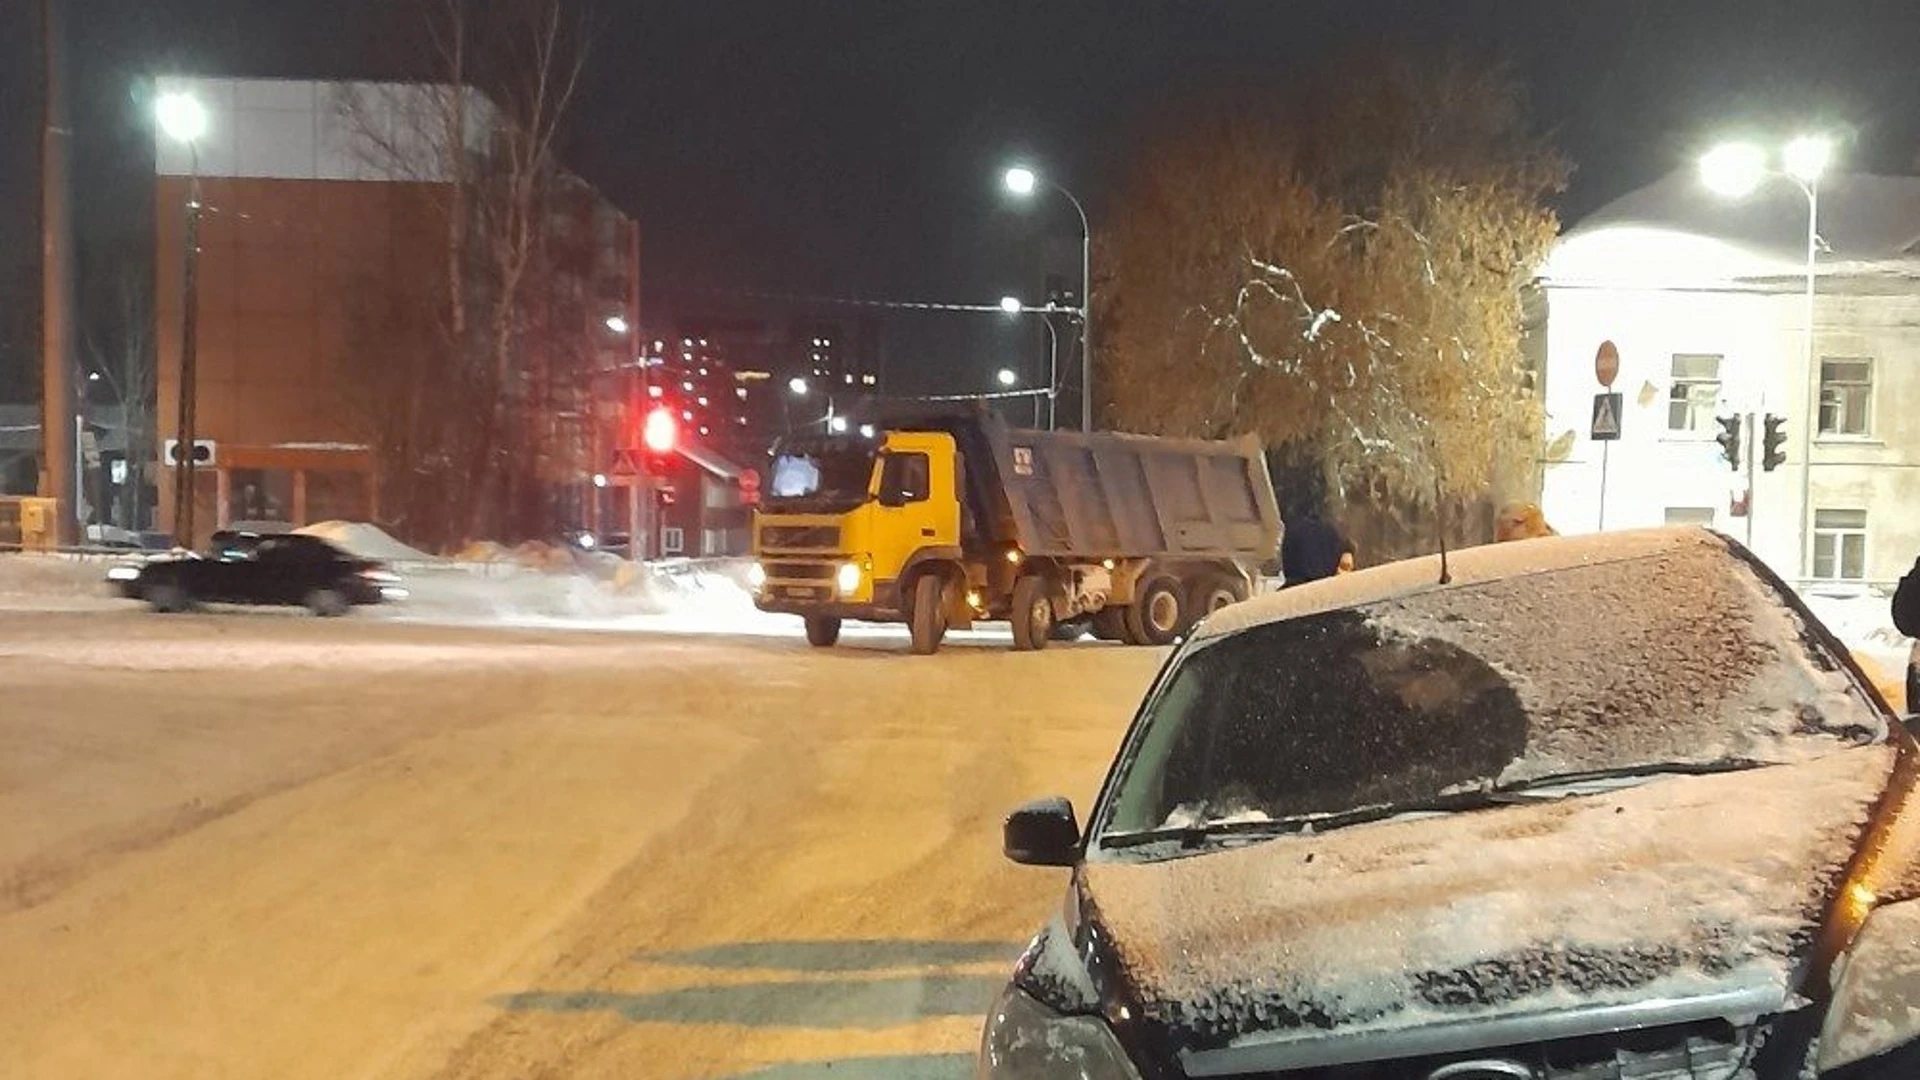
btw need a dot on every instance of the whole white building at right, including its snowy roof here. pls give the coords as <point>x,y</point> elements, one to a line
<point>1706,303</point>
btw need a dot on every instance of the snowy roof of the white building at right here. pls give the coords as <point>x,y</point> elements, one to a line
<point>1681,230</point>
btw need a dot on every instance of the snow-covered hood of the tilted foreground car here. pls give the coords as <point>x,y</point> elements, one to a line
<point>1683,889</point>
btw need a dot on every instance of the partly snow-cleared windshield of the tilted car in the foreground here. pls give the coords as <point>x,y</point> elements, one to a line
<point>1677,662</point>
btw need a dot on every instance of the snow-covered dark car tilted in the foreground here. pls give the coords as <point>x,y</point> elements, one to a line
<point>1558,810</point>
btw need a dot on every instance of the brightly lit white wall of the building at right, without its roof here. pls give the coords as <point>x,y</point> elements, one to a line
<point>1762,341</point>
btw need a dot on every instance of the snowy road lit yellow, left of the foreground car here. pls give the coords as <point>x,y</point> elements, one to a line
<point>274,847</point>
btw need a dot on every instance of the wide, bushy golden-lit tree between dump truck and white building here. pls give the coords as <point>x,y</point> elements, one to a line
<point>1341,274</point>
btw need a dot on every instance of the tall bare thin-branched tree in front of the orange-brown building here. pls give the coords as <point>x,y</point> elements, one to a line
<point>481,145</point>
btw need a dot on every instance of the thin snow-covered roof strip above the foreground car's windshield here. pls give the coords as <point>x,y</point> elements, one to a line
<point>1470,566</point>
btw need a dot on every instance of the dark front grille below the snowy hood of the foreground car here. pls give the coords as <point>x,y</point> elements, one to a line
<point>1710,1050</point>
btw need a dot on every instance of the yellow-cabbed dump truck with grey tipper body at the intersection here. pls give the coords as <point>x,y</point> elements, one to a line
<point>944,520</point>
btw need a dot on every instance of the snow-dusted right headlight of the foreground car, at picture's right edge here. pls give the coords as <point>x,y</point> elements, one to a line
<point>1877,998</point>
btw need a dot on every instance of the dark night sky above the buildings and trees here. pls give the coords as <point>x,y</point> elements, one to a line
<point>852,147</point>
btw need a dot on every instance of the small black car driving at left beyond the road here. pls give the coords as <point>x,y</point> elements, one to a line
<point>243,568</point>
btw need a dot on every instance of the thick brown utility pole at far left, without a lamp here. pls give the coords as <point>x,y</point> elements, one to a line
<point>59,449</point>
